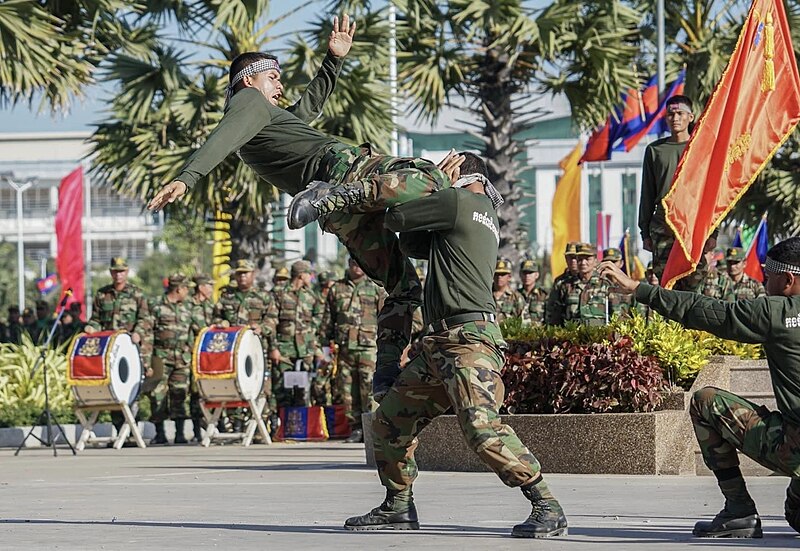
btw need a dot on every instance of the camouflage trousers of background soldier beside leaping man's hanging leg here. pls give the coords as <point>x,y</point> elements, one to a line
<point>354,383</point>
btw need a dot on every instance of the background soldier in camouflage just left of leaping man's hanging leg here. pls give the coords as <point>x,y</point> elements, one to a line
<point>350,320</point>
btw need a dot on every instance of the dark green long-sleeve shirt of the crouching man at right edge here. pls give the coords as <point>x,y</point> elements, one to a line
<point>773,321</point>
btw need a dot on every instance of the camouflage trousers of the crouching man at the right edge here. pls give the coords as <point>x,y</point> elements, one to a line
<point>724,422</point>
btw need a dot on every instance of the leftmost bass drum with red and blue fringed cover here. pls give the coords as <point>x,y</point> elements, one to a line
<point>104,369</point>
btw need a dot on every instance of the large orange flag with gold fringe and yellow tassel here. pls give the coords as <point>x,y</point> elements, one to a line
<point>754,109</point>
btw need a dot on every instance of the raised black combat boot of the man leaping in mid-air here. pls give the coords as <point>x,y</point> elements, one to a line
<point>320,199</point>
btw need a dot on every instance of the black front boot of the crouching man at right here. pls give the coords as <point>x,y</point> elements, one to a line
<point>738,519</point>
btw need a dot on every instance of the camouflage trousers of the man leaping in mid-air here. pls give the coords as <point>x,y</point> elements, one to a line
<point>387,181</point>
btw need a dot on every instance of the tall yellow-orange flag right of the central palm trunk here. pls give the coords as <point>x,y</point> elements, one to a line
<point>566,220</point>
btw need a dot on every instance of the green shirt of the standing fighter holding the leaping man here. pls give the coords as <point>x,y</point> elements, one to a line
<point>464,237</point>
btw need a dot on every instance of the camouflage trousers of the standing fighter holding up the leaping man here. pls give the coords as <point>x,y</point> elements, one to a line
<point>459,368</point>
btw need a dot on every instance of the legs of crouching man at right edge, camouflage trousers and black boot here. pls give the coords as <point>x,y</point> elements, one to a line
<point>724,423</point>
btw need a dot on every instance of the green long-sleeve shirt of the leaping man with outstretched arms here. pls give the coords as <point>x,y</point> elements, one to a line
<point>278,144</point>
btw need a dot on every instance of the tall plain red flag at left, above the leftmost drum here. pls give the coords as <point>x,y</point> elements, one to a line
<point>69,235</point>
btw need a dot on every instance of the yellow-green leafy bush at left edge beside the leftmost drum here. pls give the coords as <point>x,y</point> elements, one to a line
<point>22,396</point>
